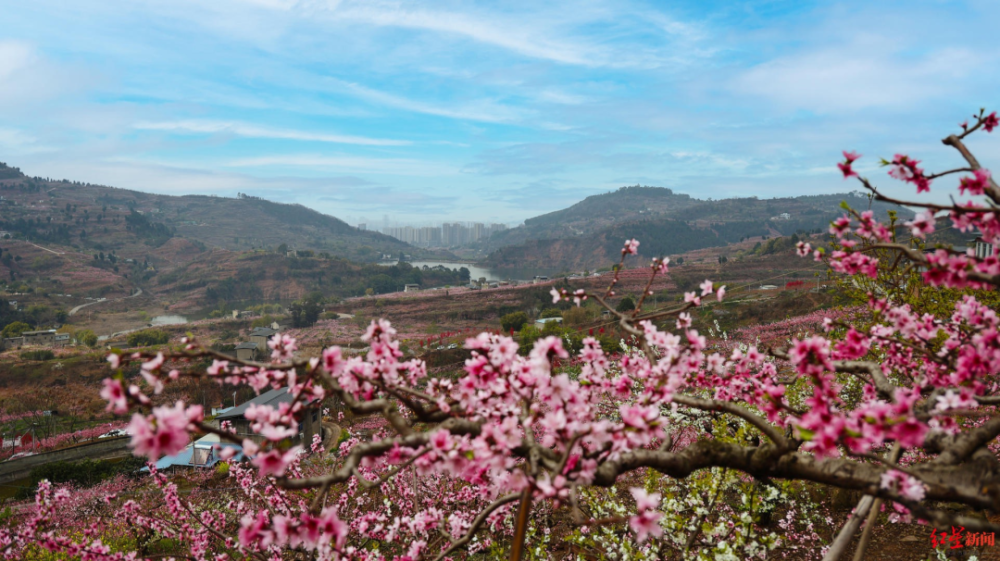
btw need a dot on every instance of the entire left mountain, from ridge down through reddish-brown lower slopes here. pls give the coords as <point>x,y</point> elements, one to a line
<point>62,242</point>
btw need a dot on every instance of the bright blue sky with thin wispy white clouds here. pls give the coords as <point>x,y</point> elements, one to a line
<point>468,111</point>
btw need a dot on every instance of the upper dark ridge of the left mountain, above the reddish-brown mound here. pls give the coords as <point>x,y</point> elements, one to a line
<point>94,218</point>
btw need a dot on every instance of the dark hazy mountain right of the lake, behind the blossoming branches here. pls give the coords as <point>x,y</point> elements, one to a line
<point>590,233</point>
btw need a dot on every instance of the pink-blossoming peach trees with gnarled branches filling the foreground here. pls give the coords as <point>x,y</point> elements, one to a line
<point>903,411</point>
